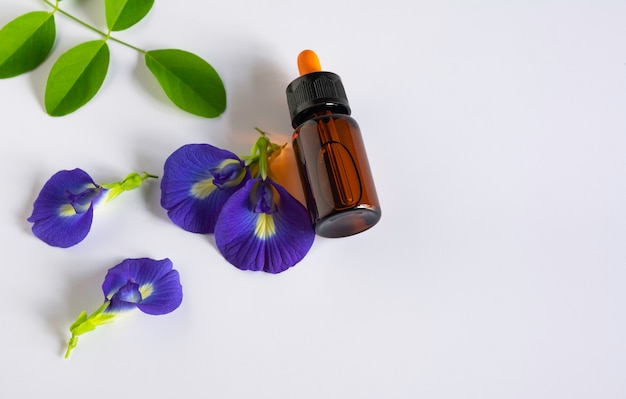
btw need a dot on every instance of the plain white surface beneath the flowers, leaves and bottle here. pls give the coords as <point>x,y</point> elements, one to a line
<point>496,132</point>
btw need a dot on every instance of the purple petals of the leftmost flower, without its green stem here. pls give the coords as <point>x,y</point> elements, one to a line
<point>63,211</point>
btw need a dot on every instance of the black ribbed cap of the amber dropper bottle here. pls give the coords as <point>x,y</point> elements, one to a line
<point>316,92</point>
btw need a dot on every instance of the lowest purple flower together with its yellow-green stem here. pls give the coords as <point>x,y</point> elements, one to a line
<point>149,285</point>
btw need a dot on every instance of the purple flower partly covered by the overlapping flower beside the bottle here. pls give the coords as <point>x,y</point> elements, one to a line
<point>197,180</point>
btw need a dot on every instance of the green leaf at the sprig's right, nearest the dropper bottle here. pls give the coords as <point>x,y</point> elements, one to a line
<point>189,81</point>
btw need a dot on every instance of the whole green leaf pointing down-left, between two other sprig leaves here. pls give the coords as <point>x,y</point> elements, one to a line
<point>76,77</point>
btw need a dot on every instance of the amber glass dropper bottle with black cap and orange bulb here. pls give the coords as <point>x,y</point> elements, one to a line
<point>330,153</point>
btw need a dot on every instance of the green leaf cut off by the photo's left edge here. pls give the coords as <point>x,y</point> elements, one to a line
<point>26,42</point>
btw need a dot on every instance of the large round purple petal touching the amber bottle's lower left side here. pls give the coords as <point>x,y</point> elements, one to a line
<point>263,227</point>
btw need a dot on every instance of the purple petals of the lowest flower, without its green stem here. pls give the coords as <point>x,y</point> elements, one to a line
<point>150,285</point>
